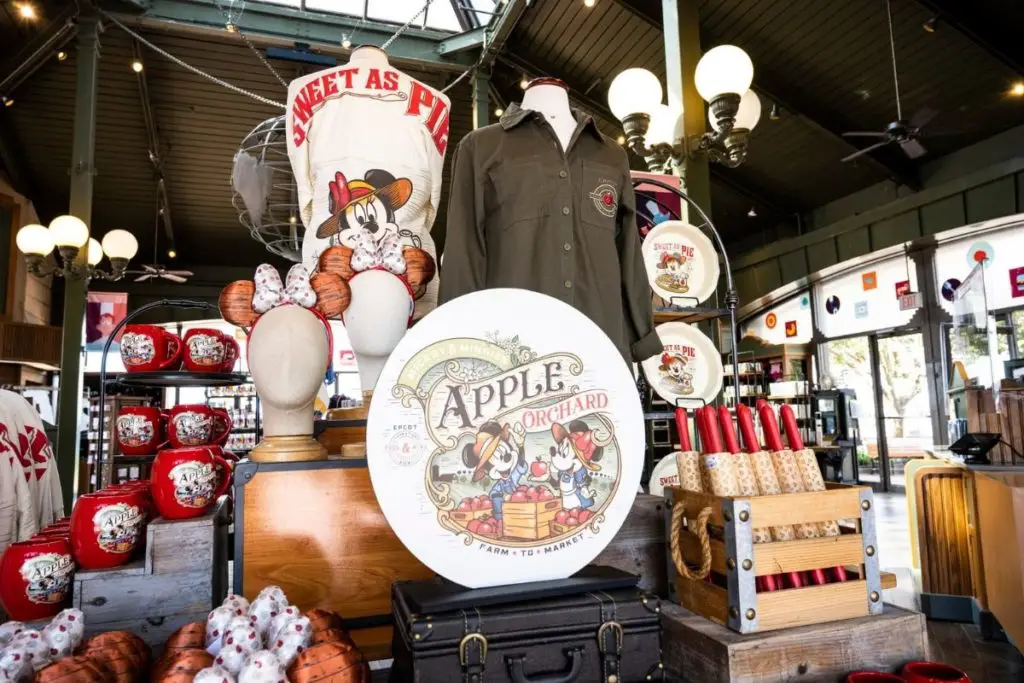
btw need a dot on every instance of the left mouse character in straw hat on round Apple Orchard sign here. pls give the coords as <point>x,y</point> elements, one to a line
<point>498,453</point>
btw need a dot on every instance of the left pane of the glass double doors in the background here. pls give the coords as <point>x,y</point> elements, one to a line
<point>849,363</point>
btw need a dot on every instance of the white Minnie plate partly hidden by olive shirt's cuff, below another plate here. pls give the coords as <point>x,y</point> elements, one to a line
<point>689,370</point>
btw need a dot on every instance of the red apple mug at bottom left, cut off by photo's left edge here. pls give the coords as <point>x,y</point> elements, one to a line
<point>36,578</point>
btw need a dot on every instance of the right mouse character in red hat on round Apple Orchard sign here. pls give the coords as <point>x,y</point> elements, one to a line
<point>574,457</point>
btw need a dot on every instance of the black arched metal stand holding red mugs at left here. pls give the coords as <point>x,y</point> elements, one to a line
<point>106,472</point>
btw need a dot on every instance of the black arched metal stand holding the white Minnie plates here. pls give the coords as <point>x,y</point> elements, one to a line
<point>659,414</point>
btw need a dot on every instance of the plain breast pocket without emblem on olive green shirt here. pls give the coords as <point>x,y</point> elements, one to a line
<point>521,193</point>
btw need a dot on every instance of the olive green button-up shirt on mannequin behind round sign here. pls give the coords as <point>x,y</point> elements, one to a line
<point>527,215</point>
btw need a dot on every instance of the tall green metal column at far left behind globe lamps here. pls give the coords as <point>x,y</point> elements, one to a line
<point>82,172</point>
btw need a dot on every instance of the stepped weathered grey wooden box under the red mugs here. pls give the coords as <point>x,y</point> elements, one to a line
<point>181,578</point>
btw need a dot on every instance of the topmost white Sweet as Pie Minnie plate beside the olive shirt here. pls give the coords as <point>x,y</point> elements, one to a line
<point>682,264</point>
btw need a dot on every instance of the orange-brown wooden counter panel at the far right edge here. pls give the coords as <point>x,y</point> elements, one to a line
<point>1001,527</point>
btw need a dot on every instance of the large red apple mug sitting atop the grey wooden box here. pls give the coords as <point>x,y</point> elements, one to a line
<point>188,482</point>
